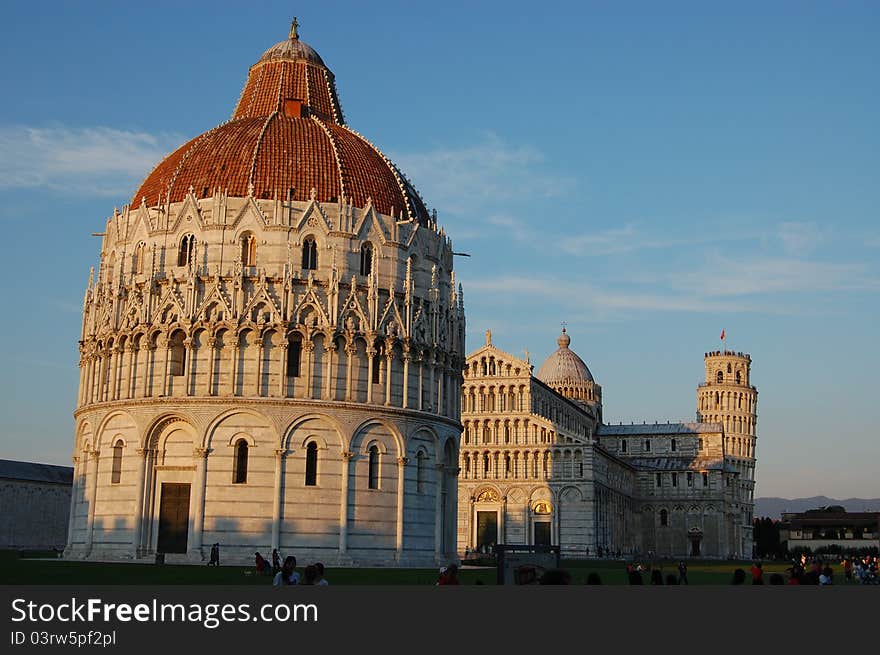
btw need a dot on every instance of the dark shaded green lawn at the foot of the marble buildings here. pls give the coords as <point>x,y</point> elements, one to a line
<point>32,568</point>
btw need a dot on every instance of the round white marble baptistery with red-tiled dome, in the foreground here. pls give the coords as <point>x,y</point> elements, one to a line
<point>272,348</point>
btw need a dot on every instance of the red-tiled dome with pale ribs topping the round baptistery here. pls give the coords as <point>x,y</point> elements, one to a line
<point>287,136</point>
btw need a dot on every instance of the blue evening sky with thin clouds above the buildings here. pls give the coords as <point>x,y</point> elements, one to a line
<point>648,173</point>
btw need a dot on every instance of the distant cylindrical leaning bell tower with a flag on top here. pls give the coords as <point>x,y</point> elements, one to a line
<point>728,397</point>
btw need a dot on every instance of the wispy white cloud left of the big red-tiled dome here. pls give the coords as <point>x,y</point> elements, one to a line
<point>88,160</point>
